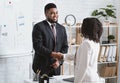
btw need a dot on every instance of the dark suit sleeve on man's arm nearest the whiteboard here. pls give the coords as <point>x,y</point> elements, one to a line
<point>38,41</point>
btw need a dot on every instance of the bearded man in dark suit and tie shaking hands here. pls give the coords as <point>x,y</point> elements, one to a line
<point>49,43</point>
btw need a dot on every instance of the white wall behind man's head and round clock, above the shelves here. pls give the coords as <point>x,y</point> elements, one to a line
<point>79,8</point>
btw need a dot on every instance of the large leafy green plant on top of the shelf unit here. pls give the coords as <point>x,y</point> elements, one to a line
<point>108,11</point>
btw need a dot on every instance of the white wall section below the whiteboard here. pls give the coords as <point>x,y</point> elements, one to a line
<point>15,69</point>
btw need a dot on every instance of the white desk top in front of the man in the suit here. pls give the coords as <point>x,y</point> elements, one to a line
<point>55,79</point>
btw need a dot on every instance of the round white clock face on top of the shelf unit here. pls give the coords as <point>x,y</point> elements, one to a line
<point>70,20</point>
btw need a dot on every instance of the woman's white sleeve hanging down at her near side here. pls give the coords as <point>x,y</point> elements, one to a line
<point>82,57</point>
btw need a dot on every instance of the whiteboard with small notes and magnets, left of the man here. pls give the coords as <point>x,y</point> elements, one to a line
<point>15,27</point>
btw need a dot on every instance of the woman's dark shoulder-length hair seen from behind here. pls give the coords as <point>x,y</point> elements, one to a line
<point>92,29</point>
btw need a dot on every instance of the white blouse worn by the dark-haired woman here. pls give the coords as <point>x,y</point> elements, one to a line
<point>86,62</point>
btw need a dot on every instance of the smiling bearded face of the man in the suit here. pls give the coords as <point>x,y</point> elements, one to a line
<point>52,15</point>
